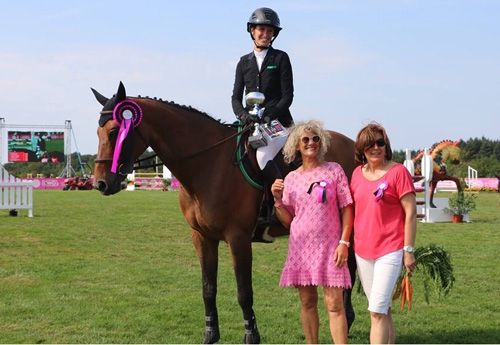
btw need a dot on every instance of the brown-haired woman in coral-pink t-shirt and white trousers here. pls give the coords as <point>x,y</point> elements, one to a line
<point>385,225</point>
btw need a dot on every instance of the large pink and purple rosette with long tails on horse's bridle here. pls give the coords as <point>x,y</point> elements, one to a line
<point>127,114</point>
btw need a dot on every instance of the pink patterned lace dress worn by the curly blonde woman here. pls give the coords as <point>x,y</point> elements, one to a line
<point>316,227</point>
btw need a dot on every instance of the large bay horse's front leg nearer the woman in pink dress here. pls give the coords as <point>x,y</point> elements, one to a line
<point>241,252</point>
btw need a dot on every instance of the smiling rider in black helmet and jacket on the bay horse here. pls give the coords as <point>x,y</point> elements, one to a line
<point>269,71</point>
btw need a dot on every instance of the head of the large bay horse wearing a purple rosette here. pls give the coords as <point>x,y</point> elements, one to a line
<point>116,151</point>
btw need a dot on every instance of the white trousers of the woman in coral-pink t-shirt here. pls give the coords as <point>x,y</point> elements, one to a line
<point>379,278</point>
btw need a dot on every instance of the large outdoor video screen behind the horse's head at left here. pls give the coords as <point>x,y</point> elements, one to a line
<point>44,147</point>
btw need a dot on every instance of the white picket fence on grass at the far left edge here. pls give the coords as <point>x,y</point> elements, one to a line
<point>15,194</point>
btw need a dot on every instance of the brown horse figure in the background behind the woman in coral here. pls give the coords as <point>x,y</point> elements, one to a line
<point>446,151</point>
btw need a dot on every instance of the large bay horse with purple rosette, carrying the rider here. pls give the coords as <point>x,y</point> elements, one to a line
<point>215,198</point>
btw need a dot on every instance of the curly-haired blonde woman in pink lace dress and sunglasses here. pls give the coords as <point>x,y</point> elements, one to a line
<point>315,202</point>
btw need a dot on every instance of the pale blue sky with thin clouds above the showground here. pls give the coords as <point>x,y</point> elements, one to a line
<point>426,70</point>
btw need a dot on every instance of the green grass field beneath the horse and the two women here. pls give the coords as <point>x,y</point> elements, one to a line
<point>122,269</point>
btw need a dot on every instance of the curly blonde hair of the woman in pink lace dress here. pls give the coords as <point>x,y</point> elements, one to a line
<point>291,148</point>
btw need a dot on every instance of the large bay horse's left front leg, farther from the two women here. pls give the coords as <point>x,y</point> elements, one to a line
<point>207,250</point>
